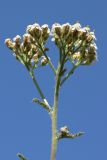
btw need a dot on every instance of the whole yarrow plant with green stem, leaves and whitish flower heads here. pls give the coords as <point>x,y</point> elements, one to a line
<point>76,45</point>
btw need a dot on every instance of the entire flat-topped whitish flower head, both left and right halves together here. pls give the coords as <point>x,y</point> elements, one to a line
<point>76,43</point>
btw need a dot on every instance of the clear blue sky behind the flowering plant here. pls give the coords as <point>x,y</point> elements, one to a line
<point>25,127</point>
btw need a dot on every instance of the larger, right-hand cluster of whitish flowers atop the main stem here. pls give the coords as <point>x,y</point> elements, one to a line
<point>78,42</point>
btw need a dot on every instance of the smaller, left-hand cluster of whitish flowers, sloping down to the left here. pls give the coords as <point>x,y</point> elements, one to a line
<point>30,49</point>
